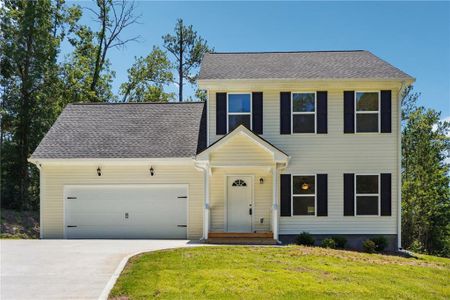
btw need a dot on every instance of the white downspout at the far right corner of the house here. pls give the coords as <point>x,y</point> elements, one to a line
<point>399,166</point>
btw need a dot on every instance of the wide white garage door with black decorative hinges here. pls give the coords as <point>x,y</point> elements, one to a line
<point>137,211</point>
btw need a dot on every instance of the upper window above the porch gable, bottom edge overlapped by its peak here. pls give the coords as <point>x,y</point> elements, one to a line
<point>239,111</point>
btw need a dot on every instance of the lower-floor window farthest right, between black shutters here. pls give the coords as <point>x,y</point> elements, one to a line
<point>367,195</point>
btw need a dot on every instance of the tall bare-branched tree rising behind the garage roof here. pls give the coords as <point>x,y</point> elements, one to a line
<point>113,18</point>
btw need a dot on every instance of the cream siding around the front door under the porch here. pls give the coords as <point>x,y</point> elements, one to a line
<point>262,197</point>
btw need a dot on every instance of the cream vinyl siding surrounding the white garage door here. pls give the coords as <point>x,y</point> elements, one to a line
<point>54,178</point>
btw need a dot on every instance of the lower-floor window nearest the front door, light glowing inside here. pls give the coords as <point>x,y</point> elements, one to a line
<point>304,195</point>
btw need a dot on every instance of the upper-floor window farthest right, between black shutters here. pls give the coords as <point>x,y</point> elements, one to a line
<point>367,111</point>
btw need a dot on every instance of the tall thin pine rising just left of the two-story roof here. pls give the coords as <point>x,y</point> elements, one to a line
<point>188,49</point>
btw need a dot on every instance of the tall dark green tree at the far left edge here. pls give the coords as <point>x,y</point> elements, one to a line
<point>29,44</point>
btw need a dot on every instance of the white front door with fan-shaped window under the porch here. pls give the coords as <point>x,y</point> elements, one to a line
<point>239,203</point>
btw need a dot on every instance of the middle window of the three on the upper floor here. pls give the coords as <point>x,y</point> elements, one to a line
<point>303,112</point>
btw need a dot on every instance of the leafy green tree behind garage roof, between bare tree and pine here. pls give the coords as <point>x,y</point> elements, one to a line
<point>147,77</point>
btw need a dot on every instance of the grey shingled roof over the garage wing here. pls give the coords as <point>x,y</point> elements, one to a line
<point>127,130</point>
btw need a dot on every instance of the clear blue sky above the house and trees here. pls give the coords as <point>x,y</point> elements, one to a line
<point>413,36</point>
